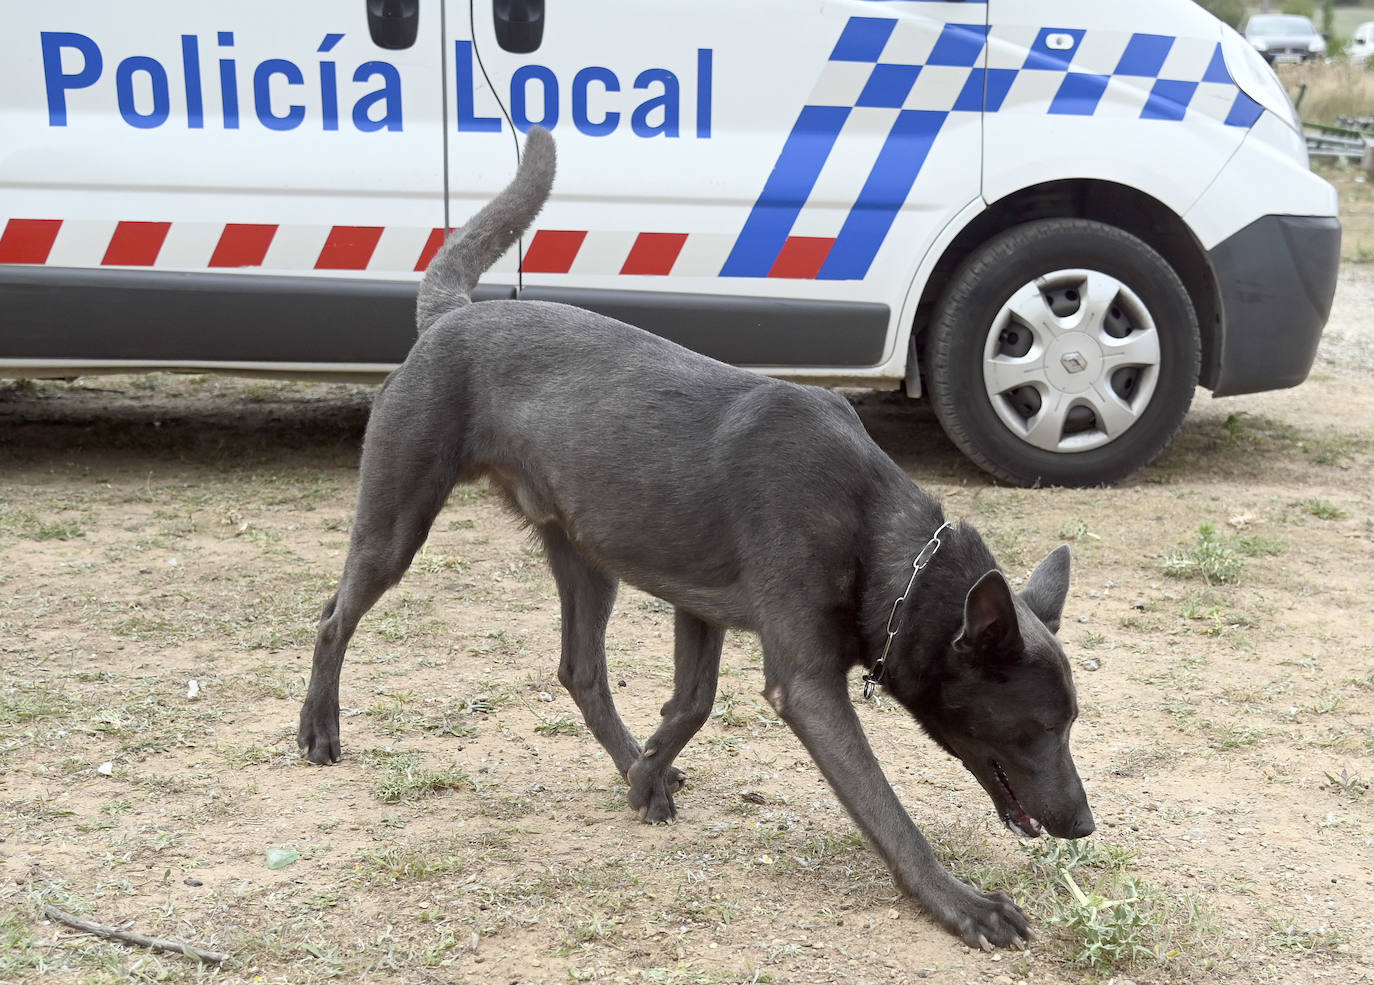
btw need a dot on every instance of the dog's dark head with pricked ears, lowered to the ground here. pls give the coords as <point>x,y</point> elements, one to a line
<point>1005,703</point>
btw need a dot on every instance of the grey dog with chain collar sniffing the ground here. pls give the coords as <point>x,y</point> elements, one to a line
<point>744,502</point>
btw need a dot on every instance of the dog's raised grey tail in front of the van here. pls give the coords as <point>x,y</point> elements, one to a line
<point>453,275</point>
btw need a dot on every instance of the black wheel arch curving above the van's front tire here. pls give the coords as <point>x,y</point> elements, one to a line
<point>1122,207</point>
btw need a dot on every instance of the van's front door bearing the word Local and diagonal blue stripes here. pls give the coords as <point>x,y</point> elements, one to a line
<point>758,182</point>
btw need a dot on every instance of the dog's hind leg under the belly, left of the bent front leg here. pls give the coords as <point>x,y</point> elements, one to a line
<point>589,596</point>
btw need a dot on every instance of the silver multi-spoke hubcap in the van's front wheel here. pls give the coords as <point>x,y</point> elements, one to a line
<point>1072,361</point>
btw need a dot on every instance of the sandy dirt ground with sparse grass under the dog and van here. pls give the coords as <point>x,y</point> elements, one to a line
<point>167,542</point>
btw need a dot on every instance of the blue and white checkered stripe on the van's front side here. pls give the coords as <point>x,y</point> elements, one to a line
<point>886,64</point>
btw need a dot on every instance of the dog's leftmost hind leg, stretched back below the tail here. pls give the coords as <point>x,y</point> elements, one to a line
<point>405,482</point>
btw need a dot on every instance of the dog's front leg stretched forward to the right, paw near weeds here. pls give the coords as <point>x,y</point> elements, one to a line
<point>818,710</point>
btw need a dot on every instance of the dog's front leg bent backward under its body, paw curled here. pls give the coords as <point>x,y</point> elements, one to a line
<point>696,670</point>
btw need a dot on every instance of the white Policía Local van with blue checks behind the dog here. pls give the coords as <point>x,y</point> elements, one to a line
<point>1053,218</point>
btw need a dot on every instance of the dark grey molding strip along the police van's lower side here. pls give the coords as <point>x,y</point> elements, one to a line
<point>157,317</point>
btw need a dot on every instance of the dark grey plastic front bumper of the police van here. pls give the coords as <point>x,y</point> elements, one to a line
<point>1277,280</point>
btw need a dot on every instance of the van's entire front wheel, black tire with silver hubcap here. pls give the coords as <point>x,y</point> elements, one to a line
<point>1134,403</point>
